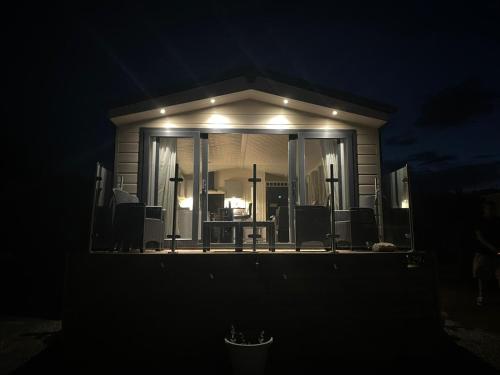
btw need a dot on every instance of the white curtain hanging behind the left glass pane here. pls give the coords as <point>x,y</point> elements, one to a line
<point>166,170</point>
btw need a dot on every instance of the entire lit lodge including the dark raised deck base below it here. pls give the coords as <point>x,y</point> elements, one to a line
<point>251,201</point>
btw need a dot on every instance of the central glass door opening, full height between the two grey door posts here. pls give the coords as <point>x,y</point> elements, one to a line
<point>227,194</point>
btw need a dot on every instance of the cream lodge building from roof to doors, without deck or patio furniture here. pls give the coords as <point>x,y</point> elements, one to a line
<point>218,131</point>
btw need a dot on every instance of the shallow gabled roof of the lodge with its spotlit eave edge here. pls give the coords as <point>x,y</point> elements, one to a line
<point>267,87</point>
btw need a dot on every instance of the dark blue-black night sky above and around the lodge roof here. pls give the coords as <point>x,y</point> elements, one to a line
<point>437,62</point>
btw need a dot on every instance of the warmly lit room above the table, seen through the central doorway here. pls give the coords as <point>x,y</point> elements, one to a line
<point>230,161</point>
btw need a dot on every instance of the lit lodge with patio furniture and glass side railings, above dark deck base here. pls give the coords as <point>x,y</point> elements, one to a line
<point>217,135</point>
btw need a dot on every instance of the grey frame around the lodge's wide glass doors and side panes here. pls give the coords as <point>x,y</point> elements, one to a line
<point>296,158</point>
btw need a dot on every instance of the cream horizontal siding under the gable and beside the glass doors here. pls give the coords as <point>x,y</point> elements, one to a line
<point>251,114</point>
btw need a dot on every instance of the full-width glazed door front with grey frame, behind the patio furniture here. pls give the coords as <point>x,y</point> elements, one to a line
<point>215,167</point>
